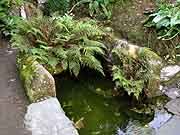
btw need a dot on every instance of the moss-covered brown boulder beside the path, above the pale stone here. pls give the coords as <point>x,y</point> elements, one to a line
<point>38,82</point>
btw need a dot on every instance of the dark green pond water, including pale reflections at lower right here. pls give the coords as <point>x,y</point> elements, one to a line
<point>89,100</point>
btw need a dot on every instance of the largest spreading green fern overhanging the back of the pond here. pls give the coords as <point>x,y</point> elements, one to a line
<point>61,42</point>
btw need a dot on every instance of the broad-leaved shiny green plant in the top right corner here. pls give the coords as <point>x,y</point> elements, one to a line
<point>166,20</point>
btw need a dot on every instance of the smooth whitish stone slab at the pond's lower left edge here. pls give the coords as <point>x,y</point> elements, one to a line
<point>48,118</point>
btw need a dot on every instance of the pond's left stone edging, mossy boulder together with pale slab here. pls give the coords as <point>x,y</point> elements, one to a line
<point>45,115</point>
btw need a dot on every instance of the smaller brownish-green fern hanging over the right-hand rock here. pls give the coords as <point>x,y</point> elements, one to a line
<point>128,73</point>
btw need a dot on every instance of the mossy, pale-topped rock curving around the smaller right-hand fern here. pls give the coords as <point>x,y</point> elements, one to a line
<point>153,62</point>
